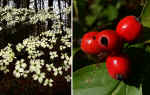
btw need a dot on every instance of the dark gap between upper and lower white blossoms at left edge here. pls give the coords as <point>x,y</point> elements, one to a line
<point>18,33</point>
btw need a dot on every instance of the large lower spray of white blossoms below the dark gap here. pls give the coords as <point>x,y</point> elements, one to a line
<point>31,45</point>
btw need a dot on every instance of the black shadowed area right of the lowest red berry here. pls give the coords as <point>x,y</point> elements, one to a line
<point>140,69</point>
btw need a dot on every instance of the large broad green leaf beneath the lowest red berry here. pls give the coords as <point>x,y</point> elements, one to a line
<point>94,80</point>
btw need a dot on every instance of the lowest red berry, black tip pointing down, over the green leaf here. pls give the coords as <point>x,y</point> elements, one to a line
<point>118,67</point>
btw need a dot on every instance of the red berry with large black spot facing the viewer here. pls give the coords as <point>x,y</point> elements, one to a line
<point>108,40</point>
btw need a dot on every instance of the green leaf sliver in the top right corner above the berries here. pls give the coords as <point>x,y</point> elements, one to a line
<point>146,14</point>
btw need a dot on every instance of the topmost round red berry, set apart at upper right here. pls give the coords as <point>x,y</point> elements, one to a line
<point>129,28</point>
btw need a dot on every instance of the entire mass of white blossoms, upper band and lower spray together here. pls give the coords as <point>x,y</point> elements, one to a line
<point>35,64</point>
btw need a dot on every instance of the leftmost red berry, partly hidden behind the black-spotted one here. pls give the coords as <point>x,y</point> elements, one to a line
<point>88,43</point>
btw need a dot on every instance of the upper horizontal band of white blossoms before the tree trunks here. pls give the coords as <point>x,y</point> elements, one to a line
<point>24,15</point>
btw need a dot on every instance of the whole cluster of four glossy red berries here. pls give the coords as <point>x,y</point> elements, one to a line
<point>118,65</point>
